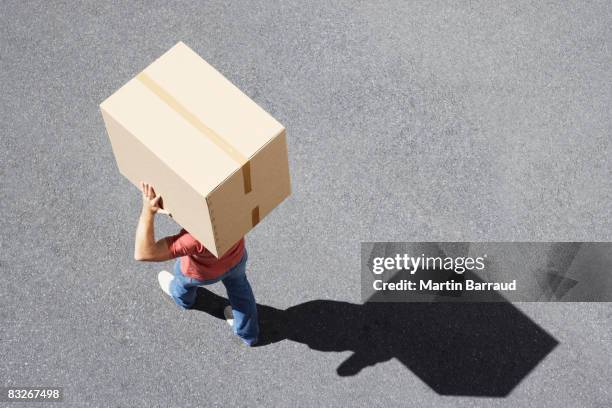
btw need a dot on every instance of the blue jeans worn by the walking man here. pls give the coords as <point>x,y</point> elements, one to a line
<point>239,292</point>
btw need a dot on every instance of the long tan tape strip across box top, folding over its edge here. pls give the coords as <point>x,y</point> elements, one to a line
<point>197,123</point>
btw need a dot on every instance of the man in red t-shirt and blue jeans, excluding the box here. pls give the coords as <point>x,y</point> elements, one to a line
<point>197,266</point>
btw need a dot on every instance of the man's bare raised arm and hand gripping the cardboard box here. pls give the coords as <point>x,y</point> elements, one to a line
<point>145,246</point>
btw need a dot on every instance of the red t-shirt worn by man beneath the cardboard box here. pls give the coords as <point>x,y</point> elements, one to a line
<point>198,262</point>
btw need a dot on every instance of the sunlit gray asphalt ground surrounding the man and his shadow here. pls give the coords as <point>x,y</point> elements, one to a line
<point>436,121</point>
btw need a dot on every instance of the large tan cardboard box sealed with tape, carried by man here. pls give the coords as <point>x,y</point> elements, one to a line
<point>218,160</point>
